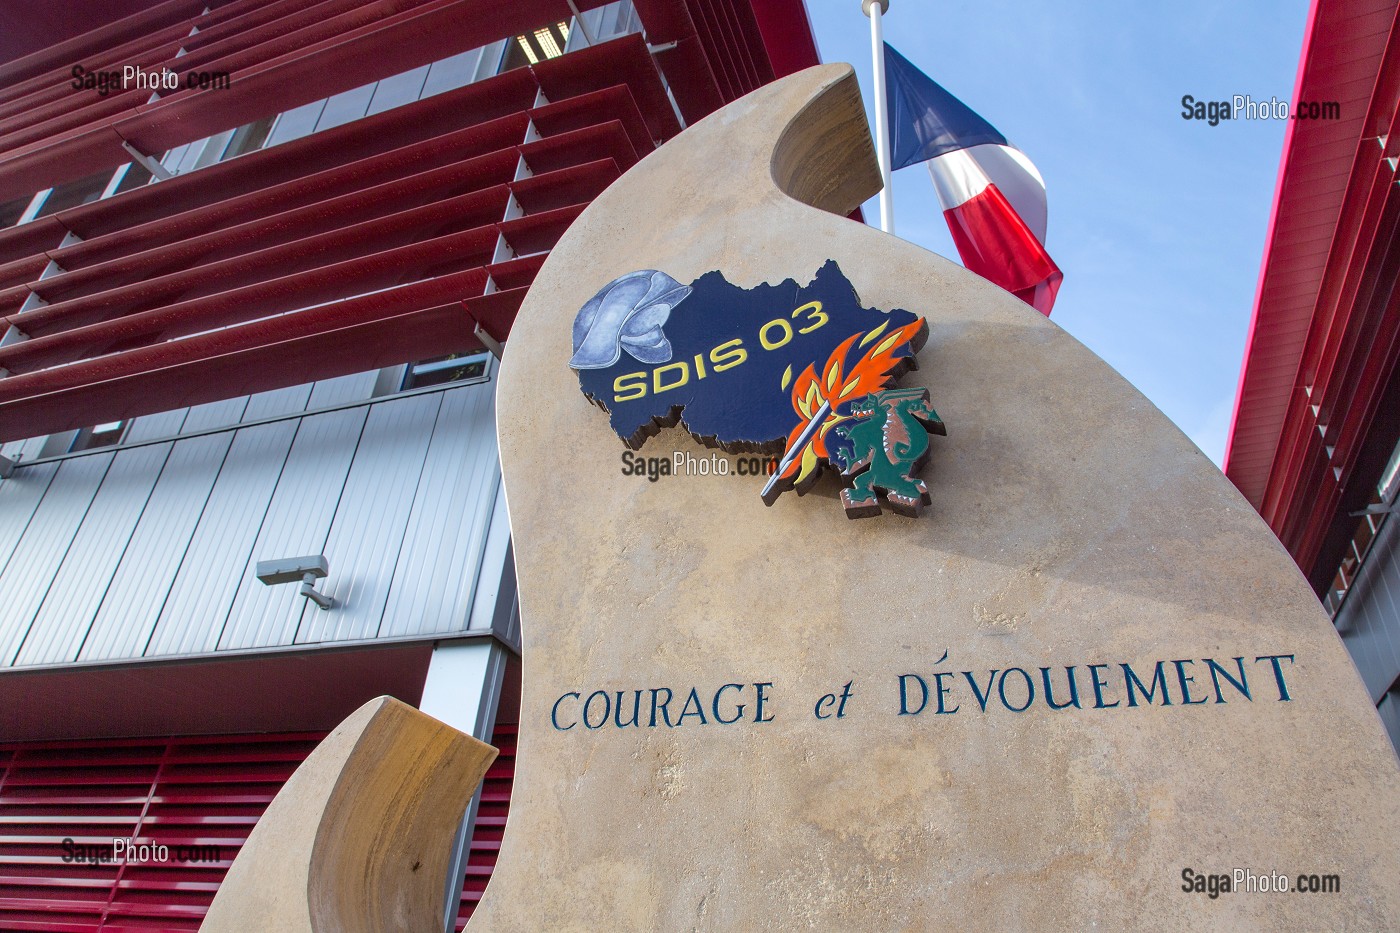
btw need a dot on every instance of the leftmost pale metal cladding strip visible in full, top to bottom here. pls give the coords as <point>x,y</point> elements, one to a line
<point>64,620</point>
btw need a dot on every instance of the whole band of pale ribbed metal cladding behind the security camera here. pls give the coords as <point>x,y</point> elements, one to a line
<point>157,558</point>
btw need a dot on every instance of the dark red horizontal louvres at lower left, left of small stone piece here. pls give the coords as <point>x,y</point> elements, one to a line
<point>204,792</point>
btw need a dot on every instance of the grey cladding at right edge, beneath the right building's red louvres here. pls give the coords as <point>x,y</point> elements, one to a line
<point>1370,618</point>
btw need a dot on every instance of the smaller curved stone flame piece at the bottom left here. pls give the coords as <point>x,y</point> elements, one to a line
<point>359,840</point>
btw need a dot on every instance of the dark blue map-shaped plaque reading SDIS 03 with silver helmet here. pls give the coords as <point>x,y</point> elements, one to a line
<point>716,357</point>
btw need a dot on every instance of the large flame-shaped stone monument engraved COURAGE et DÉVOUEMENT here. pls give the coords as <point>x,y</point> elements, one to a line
<point>1072,526</point>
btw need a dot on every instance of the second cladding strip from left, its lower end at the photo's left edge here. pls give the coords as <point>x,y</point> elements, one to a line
<point>43,547</point>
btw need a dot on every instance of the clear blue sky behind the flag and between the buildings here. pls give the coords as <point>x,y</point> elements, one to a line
<point>1157,222</point>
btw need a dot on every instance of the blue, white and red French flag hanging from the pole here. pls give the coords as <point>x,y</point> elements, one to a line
<point>993,197</point>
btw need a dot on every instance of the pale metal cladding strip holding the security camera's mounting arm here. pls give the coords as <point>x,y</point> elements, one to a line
<point>363,547</point>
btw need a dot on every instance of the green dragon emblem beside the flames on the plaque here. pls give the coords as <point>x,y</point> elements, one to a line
<point>890,445</point>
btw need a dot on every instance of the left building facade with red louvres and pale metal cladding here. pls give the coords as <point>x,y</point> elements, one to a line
<point>258,261</point>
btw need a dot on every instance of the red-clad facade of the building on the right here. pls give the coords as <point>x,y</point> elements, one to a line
<point>1314,445</point>
